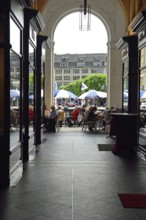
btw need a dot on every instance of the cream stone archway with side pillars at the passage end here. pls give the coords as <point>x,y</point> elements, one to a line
<point>113,18</point>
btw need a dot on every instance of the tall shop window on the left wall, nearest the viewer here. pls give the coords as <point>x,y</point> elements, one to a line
<point>15,96</point>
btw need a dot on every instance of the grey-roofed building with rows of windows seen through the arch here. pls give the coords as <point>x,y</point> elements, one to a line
<point>71,67</point>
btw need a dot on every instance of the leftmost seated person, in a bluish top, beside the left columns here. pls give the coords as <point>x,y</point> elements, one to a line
<point>50,122</point>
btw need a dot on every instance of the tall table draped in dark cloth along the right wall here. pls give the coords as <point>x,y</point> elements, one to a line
<point>124,127</point>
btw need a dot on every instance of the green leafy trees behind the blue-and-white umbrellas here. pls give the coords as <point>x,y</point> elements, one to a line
<point>95,81</point>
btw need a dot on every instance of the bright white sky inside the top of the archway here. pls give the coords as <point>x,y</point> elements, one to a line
<point>68,38</point>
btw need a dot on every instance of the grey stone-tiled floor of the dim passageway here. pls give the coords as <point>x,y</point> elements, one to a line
<point>70,179</point>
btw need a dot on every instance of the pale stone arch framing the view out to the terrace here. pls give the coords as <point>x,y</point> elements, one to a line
<point>112,22</point>
